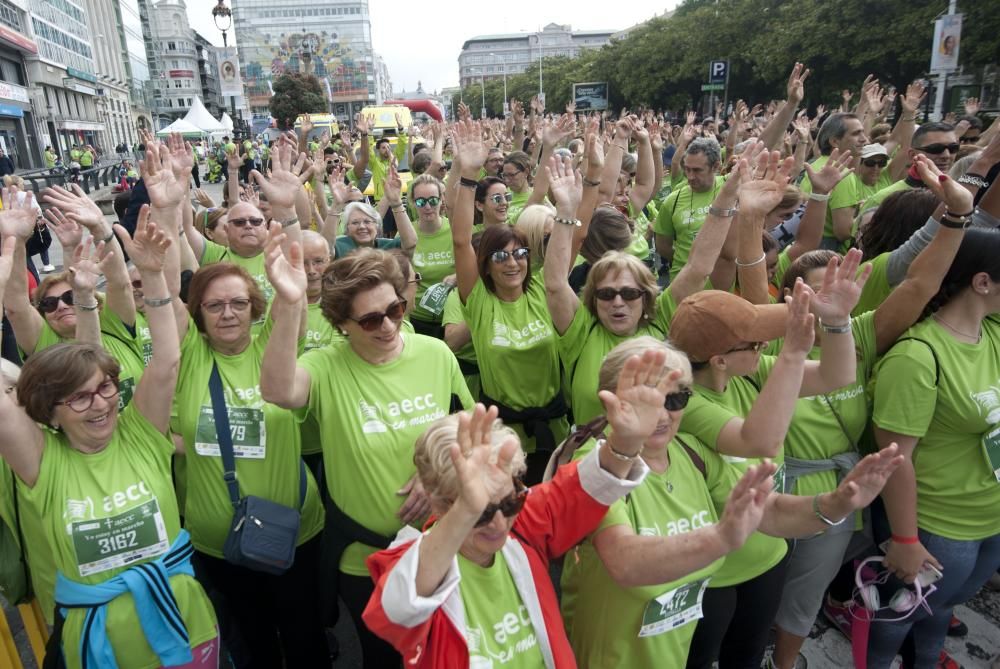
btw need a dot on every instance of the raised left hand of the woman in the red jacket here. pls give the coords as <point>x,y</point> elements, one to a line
<point>633,410</point>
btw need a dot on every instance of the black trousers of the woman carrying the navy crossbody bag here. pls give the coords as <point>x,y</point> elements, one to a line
<point>275,616</point>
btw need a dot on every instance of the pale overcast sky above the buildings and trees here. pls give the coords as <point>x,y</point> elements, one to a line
<point>421,41</point>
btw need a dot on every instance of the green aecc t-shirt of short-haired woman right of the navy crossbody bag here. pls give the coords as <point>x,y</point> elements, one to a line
<point>370,417</point>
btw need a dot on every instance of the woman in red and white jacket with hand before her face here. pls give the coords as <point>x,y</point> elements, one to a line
<point>476,584</point>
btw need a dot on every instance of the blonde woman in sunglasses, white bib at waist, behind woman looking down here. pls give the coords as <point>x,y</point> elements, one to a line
<point>433,257</point>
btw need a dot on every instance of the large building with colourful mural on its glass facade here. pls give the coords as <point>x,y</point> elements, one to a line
<point>331,40</point>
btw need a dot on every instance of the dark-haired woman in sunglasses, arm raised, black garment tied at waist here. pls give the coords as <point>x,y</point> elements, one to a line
<point>508,318</point>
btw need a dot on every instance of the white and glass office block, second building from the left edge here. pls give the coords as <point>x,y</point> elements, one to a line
<point>63,74</point>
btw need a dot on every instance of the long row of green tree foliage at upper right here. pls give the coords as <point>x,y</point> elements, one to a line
<point>663,62</point>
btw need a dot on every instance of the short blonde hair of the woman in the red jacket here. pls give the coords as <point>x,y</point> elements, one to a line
<point>432,455</point>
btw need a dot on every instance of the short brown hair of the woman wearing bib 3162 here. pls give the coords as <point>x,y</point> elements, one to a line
<point>57,372</point>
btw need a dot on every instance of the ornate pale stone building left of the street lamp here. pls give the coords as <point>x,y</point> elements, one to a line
<point>174,70</point>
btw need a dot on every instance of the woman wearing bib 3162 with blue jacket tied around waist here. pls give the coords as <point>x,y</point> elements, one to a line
<point>100,480</point>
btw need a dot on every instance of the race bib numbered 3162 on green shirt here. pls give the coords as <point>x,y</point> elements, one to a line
<point>118,541</point>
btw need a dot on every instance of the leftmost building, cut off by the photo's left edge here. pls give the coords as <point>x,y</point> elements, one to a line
<point>18,132</point>
